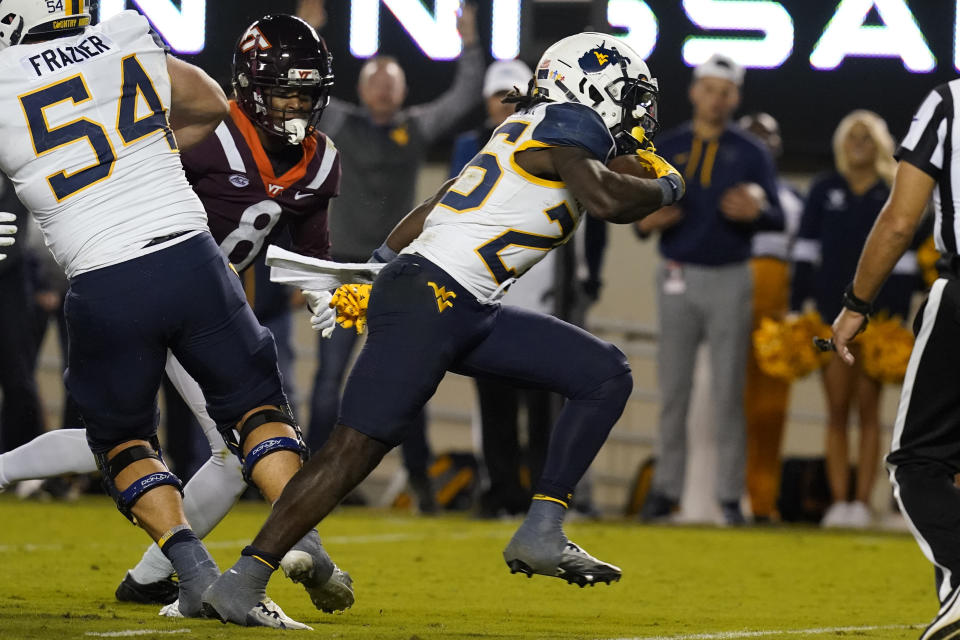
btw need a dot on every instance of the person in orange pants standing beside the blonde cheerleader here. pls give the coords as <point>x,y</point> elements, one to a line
<point>767,397</point>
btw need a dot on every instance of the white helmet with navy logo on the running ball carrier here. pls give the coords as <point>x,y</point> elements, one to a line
<point>604,73</point>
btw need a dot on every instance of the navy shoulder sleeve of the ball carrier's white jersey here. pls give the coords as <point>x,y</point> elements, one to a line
<point>569,124</point>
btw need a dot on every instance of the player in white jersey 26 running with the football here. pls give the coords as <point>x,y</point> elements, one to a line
<point>434,308</point>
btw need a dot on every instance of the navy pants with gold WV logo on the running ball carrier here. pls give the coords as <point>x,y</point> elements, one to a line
<point>423,323</point>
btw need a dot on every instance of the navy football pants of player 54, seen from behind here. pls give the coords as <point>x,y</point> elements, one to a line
<point>122,319</point>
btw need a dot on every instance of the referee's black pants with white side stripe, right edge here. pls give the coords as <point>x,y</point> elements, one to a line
<point>925,453</point>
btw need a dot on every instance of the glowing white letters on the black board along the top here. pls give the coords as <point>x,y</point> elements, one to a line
<point>847,33</point>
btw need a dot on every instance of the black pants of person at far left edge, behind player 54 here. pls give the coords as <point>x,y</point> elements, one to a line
<point>21,418</point>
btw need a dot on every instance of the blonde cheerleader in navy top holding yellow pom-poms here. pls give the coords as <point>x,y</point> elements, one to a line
<point>840,210</point>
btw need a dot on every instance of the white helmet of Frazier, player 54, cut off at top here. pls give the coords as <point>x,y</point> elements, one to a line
<point>50,18</point>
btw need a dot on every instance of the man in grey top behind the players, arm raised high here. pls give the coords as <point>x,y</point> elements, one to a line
<point>382,147</point>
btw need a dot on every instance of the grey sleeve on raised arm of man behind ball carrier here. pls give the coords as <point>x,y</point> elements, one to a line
<point>437,117</point>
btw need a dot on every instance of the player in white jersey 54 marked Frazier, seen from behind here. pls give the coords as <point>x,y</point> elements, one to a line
<point>92,154</point>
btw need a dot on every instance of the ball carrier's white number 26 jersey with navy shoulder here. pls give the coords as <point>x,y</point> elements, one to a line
<point>497,220</point>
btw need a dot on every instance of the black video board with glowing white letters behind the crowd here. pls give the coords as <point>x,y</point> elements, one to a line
<point>812,61</point>
